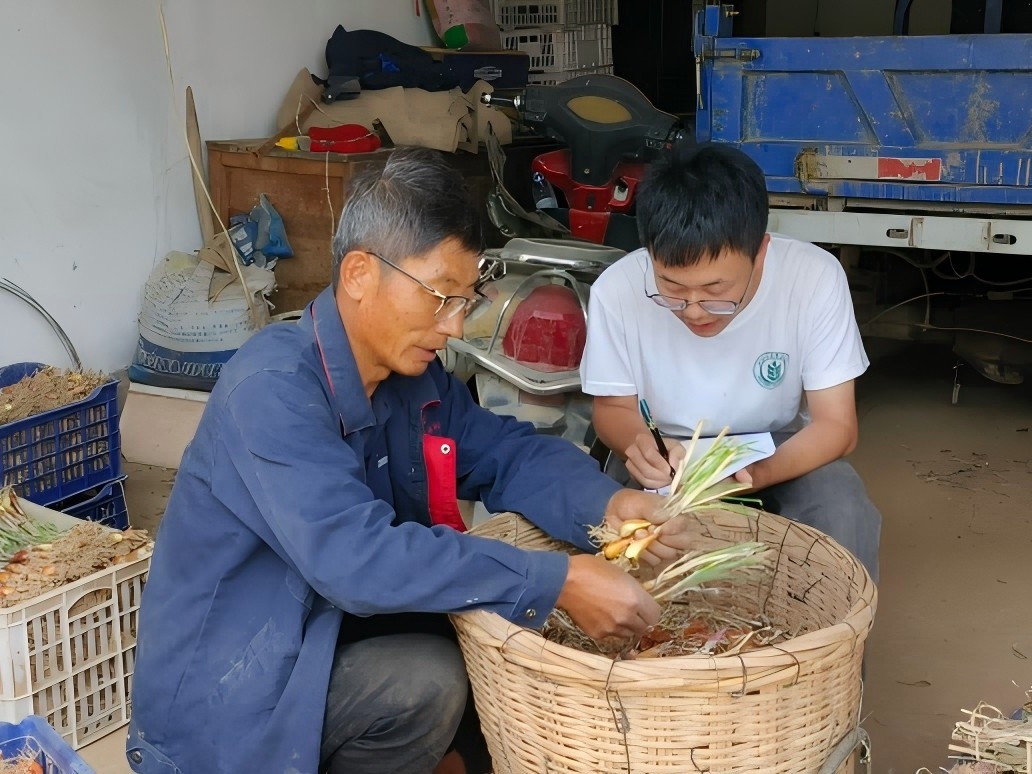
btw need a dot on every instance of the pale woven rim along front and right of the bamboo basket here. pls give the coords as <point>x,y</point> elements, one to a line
<point>515,639</point>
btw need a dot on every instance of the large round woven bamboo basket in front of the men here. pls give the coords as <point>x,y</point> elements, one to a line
<point>550,708</point>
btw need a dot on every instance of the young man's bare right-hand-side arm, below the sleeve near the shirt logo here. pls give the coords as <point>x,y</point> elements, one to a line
<point>830,436</point>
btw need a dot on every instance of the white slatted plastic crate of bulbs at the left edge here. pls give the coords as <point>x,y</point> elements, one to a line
<point>70,655</point>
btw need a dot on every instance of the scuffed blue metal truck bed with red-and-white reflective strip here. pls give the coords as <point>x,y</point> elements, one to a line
<point>933,119</point>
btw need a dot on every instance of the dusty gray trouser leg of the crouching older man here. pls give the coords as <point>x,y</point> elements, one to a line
<point>395,704</point>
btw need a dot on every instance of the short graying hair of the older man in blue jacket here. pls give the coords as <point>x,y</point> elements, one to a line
<point>406,209</point>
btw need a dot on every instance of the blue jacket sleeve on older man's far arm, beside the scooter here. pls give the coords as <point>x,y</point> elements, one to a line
<point>509,467</point>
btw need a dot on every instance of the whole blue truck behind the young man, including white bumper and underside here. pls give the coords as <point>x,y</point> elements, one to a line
<point>919,147</point>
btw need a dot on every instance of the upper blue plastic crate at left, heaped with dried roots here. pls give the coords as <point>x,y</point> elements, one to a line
<point>64,451</point>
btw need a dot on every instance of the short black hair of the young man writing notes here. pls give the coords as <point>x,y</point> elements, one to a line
<point>698,202</point>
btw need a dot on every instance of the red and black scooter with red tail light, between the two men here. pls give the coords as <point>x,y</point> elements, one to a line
<point>522,351</point>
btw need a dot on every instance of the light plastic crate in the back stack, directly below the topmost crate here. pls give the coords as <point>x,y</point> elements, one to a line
<point>562,50</point>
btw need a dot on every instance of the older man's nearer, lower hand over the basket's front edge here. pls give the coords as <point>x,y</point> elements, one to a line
<point>604,601</point>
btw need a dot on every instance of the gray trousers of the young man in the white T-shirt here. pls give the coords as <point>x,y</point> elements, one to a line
<point>831,499</point>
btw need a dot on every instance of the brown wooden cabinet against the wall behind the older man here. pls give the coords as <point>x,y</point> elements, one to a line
<point>308,191</point>
